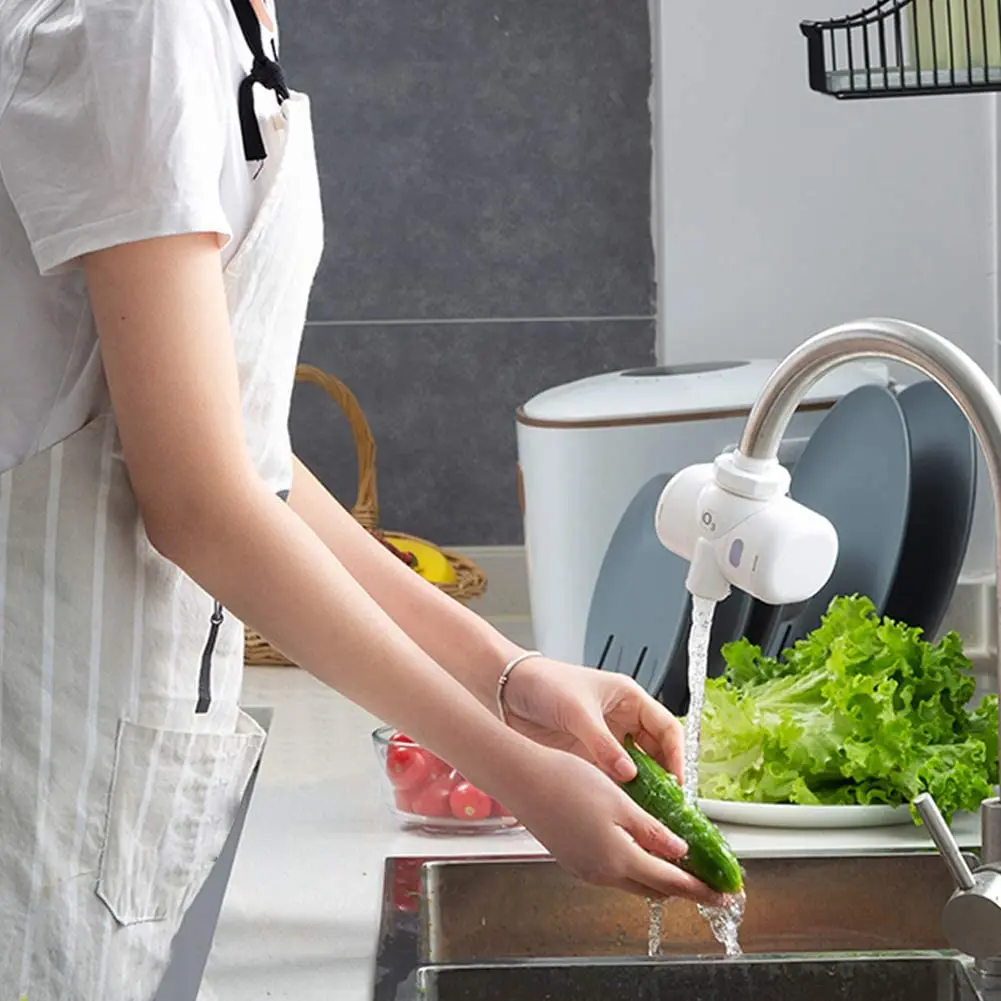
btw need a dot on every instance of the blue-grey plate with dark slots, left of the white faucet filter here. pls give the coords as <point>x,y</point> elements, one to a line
<point>640,612</point>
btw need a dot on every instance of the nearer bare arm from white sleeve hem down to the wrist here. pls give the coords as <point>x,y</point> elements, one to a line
<point>164,324</point>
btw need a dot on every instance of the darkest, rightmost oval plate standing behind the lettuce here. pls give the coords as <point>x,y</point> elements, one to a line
<point>943,493</point>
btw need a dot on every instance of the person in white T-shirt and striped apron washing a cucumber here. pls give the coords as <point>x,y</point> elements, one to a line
<point>160,231</point>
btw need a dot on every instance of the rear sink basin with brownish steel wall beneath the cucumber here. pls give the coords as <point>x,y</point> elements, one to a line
<point>475,910</point>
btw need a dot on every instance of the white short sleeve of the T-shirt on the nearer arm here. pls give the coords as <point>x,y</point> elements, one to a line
<point>117,131</point>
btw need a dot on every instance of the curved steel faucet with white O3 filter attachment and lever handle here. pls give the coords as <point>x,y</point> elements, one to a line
<point>706,508</point>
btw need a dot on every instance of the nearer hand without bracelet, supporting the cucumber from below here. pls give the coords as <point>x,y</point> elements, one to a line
<point>596,832</point>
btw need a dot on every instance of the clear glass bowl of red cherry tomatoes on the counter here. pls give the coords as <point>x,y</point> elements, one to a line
<point>426,793</point>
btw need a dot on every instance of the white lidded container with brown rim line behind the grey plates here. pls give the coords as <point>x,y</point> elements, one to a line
<point>586,449</point>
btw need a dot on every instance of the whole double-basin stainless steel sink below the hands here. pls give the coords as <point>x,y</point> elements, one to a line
<point>865,928</point>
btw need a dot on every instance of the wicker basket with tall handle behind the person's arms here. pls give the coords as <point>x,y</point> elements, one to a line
<point>471,581</point>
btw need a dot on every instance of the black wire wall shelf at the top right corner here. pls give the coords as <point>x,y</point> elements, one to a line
<point>907,49</point>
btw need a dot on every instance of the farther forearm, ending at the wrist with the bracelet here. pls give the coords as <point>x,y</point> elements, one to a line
<point>466,645</point>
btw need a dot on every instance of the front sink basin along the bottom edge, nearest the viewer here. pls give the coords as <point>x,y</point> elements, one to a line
<point>869,979</point>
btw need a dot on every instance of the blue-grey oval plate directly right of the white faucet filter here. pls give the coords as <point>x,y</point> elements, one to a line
<point>856,471</point>
